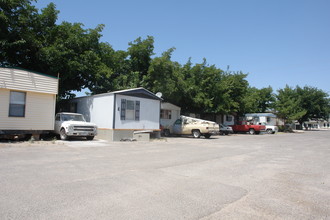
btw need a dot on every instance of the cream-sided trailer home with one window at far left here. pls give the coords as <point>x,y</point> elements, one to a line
<point>27,102</point>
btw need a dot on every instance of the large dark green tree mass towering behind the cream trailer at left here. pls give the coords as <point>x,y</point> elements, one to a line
<point>33,40</point>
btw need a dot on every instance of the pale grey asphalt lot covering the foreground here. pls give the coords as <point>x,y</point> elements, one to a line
<point>281,176</point>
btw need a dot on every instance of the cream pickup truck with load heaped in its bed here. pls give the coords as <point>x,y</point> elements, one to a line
<point>192,126</point>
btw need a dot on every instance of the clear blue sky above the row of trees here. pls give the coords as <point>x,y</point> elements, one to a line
<point>277,42</point>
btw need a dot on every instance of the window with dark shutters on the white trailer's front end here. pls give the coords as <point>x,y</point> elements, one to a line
<point>130,110</point>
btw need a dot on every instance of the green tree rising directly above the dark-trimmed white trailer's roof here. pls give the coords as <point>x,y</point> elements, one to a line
<point>125,69</point>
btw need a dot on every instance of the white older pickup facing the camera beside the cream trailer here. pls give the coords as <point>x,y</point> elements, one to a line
<point>74,125</point>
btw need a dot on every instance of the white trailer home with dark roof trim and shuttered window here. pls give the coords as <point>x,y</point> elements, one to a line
<point>121,114</point>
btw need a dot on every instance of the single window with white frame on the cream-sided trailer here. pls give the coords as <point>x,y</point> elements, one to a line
<point>17,104</point>
